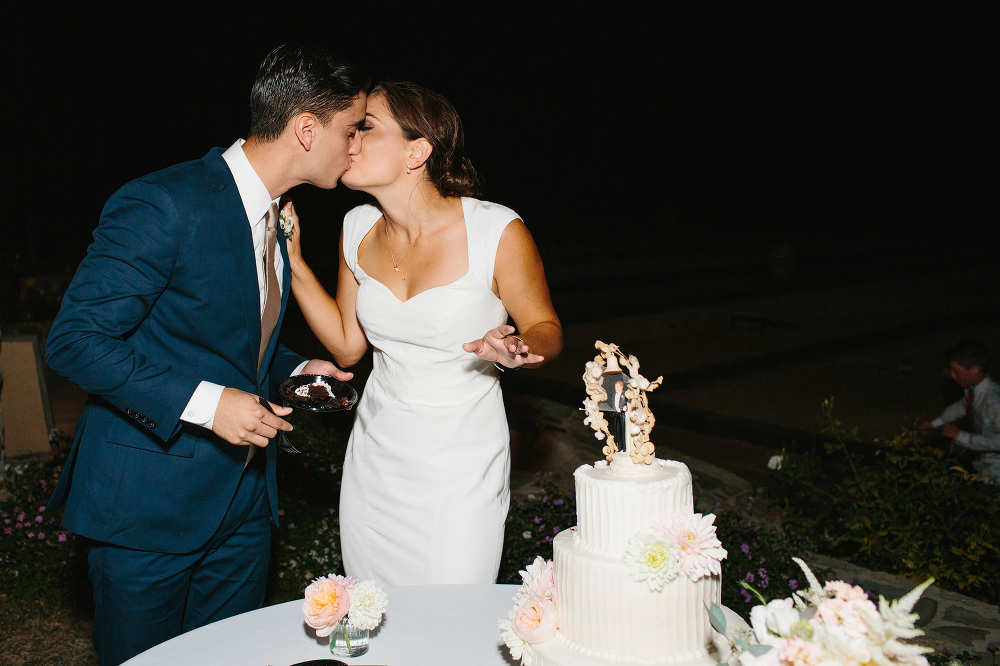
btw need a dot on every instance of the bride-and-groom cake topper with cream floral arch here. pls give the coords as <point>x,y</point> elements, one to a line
<point>602,377</point>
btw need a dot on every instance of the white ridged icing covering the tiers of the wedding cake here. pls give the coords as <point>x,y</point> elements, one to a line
<point>605,615</point>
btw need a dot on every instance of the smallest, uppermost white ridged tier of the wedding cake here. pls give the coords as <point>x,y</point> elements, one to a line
<point>611,507</point>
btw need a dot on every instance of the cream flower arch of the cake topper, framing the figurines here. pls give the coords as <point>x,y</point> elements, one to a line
<point>639,418</point>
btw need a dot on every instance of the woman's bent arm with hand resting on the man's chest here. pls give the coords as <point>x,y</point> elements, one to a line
<point>333,321</point>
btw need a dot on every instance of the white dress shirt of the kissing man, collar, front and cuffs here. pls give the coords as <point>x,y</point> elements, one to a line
<point>257,200</point>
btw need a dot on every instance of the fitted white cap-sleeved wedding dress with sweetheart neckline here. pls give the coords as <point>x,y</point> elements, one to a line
<point>426,481</point>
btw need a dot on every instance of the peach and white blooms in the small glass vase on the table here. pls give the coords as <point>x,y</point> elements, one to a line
<point>330,598</point>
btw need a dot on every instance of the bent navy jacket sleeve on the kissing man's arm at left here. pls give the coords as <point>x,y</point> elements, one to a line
<point>127,267</point>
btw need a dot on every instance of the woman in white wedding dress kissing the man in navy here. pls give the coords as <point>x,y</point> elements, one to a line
<point>428,276</point>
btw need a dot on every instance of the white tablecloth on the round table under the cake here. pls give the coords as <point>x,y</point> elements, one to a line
<point>424,624</point>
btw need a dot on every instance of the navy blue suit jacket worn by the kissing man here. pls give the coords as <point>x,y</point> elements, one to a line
<point>166,297</point>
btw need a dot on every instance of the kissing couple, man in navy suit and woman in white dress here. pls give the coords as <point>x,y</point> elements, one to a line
<point>172,321</point>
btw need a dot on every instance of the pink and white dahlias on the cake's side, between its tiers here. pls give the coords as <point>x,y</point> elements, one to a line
<point>678,544</point>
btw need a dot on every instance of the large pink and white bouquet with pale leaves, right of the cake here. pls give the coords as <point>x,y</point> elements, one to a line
<point>825,624</point>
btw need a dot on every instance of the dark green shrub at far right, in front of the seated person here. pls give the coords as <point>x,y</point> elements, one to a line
<point>902,505</point>
